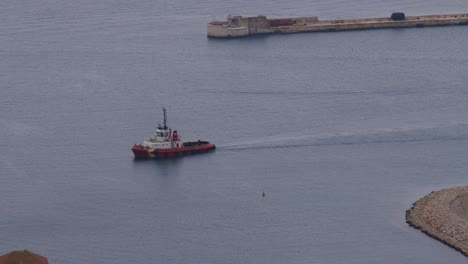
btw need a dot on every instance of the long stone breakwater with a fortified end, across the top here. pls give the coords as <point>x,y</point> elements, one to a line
<point>238,26</point>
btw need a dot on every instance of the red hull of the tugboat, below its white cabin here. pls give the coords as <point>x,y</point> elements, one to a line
<point>192,148</point>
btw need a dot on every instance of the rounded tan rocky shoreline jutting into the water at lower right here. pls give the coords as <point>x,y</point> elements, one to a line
<point>443,215</point>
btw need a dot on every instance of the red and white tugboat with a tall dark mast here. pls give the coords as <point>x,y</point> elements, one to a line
<point>168,144</point>
